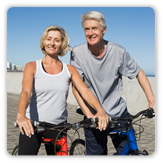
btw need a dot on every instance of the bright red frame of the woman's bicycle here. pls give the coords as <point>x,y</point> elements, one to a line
<point>60,142</point>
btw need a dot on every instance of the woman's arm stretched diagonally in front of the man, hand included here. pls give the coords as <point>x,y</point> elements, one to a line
<point>88,96</point>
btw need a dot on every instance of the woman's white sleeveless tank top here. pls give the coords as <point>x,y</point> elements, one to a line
<point>48,102</point>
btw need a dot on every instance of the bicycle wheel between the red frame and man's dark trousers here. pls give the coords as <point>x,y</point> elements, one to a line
<point>74,148</point>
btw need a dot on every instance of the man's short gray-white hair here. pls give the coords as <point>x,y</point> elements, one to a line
<point>96,16</point>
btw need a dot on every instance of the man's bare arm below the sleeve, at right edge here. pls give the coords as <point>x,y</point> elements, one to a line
<point>144,83</point>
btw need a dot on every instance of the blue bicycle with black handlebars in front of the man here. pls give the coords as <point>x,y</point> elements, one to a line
<point>131,147</point>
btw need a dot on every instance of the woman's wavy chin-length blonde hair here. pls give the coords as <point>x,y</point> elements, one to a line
<point>65,40</point>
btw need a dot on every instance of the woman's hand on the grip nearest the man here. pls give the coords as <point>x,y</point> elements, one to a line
<point>103,120</point>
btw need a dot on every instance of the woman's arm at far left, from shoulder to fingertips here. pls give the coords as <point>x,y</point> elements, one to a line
<point>25,95</point>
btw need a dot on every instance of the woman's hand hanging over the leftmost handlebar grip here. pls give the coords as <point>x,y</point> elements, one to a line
<point>25,123</point>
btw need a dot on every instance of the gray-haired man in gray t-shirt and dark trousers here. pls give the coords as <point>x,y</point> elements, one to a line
<point>101,65</point>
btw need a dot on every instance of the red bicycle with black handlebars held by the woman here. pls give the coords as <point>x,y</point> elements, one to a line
<point>62,142</point>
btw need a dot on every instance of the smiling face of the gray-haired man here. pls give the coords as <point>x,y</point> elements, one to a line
<point>93,31</point>
